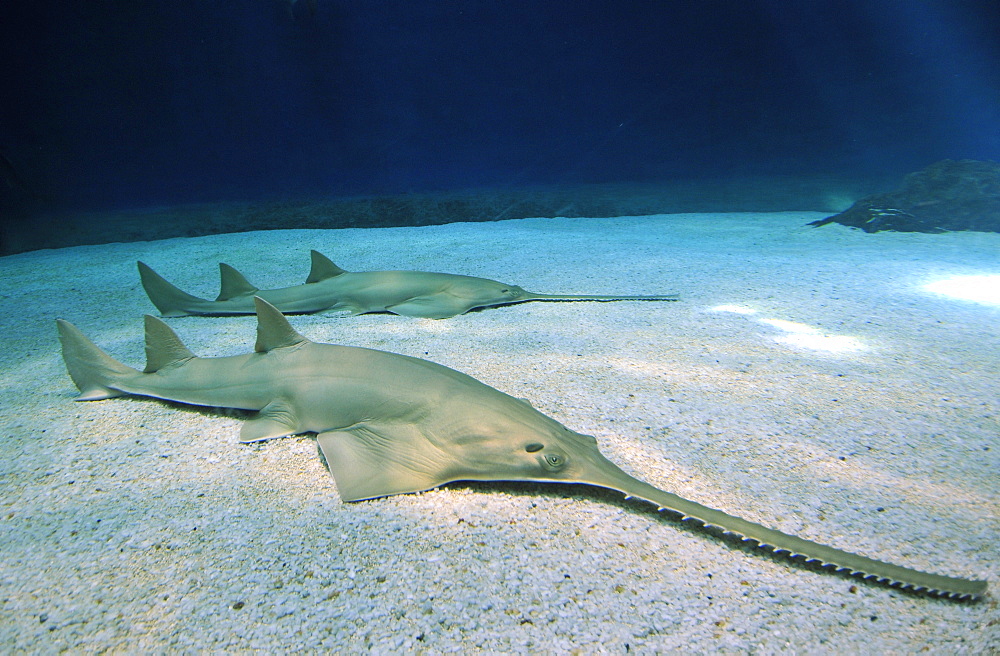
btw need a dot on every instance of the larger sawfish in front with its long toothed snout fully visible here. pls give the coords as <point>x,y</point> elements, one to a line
<point>392,424</point>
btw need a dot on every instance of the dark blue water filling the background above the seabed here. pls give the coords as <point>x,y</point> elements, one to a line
<point>132,104</point>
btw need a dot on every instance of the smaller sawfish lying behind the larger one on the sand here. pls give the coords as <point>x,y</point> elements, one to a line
<point>329,288</point>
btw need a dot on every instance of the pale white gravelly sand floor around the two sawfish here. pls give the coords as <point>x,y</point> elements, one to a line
<point>870,423</point>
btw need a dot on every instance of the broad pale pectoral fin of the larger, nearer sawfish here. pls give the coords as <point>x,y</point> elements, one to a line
<point>367,464</point>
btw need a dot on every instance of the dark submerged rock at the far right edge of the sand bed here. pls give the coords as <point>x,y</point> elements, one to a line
<point>947,195</point>
